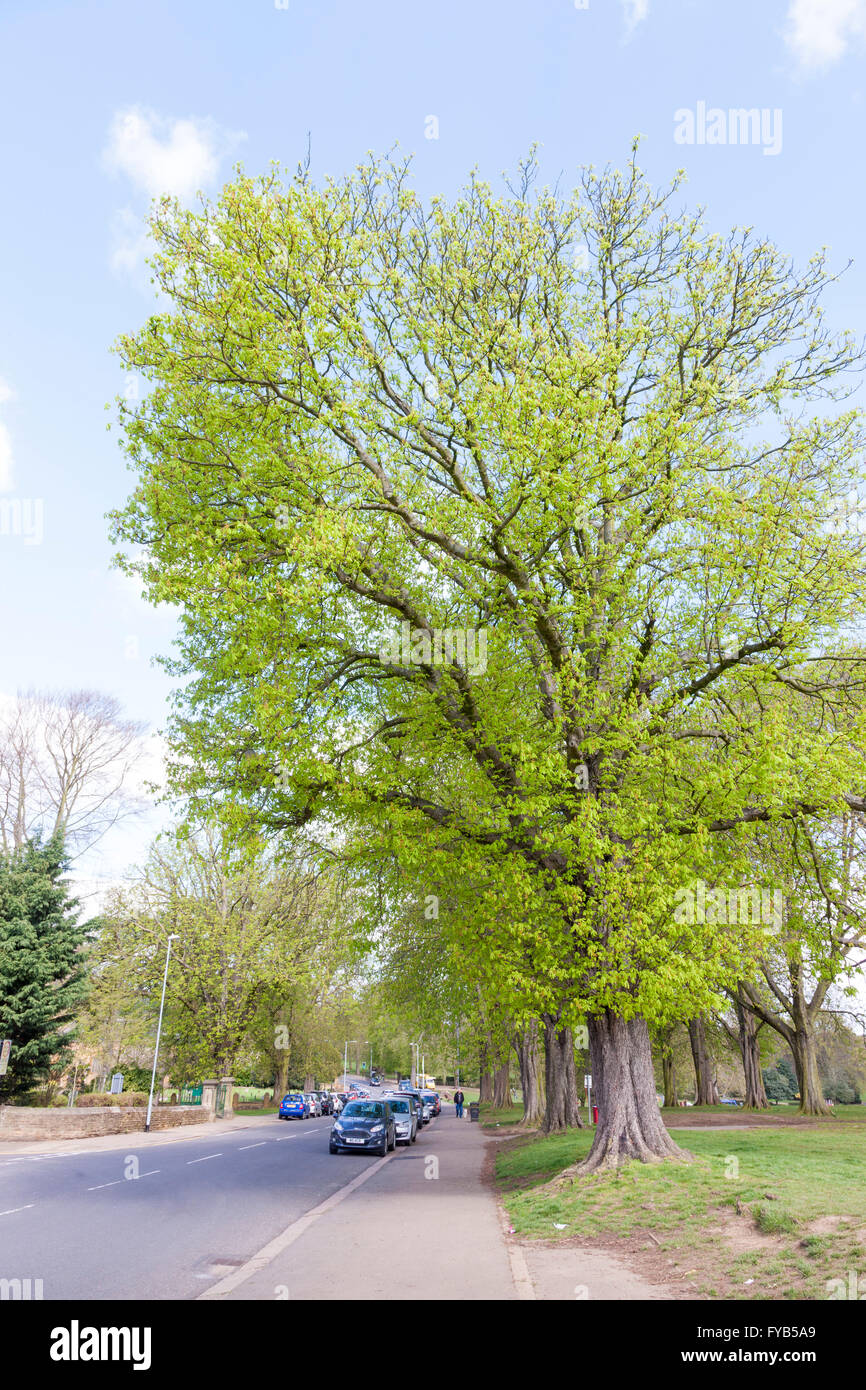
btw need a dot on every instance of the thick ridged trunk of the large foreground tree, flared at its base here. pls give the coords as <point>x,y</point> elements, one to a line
<point>630,1121</point>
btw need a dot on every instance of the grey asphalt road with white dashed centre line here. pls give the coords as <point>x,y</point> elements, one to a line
<point>88,1231</point>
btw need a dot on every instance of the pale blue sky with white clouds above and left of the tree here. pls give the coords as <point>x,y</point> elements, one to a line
<point>105,105</point>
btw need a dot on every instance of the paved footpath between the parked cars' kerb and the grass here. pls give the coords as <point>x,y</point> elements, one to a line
<point>419,1225</point>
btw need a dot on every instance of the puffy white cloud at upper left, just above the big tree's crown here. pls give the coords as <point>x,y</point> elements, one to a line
<point>168,156</point>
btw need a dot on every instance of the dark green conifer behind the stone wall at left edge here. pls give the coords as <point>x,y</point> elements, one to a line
<point>42,976</point>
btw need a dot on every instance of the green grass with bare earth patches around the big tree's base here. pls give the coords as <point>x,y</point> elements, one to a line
<point>801,1195</point>
